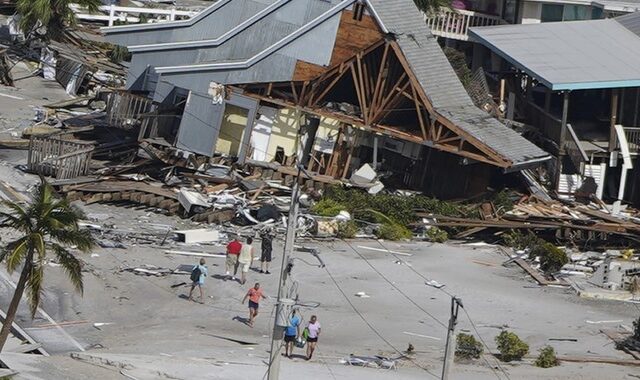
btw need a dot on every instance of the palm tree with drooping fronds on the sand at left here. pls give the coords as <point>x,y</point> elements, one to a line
<point>46,225</point>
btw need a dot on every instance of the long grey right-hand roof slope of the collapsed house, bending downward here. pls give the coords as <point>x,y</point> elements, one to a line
<point>442,86</point>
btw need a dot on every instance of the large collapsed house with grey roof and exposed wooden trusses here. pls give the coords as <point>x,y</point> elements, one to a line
<point>365,80</point>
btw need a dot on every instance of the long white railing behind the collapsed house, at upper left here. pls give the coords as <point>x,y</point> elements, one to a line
<point>112,13</point>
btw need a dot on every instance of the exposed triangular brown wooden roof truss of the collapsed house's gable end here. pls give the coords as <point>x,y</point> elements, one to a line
<point>389,100</point>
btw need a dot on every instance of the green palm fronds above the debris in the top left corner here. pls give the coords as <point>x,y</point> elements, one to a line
<point>55,15</point>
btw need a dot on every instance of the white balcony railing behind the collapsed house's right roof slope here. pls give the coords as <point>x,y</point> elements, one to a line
<point>455,23</point>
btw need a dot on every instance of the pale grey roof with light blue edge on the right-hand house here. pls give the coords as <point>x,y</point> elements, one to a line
<point>570,55</point>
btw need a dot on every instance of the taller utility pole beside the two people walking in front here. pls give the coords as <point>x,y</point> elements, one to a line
<point>283,305</point>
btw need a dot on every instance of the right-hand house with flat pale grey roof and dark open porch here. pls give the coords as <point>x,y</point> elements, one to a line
<point>577,84</point>
